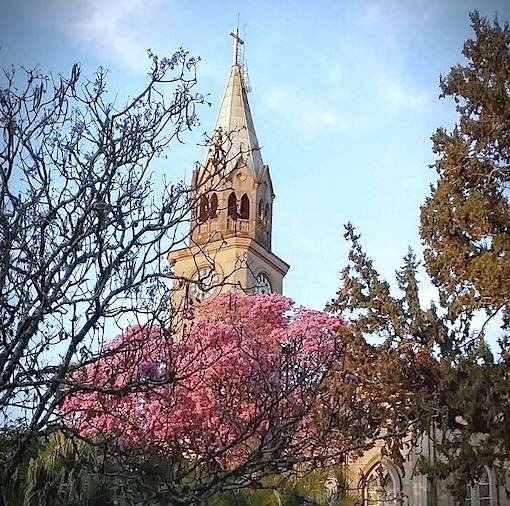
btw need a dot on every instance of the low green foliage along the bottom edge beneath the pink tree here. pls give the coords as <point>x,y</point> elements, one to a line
<point>61,470</point>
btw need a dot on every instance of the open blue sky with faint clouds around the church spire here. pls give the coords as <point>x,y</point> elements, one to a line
<point>345,98</point>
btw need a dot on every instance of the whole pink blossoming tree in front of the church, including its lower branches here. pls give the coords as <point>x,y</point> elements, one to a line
<point>256,386</point>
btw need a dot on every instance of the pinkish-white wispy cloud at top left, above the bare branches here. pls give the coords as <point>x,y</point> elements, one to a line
<point>119,29</point>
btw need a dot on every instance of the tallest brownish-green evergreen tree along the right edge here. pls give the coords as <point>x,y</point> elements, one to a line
<point>465,225</point>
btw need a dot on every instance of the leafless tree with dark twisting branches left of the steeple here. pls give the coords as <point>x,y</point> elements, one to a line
<point>84,236</point>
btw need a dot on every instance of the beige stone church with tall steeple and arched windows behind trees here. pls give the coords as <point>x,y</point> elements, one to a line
<point>230,248</point>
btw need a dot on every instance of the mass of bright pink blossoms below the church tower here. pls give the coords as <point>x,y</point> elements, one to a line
<point>249,362</point>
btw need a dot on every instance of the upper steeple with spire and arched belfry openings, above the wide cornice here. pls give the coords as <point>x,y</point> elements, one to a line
<point>243,180</point>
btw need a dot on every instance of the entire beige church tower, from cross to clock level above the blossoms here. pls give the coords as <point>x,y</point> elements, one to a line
<point>232,208</point>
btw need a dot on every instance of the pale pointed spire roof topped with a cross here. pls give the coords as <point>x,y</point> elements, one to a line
<point>234,117</point>
